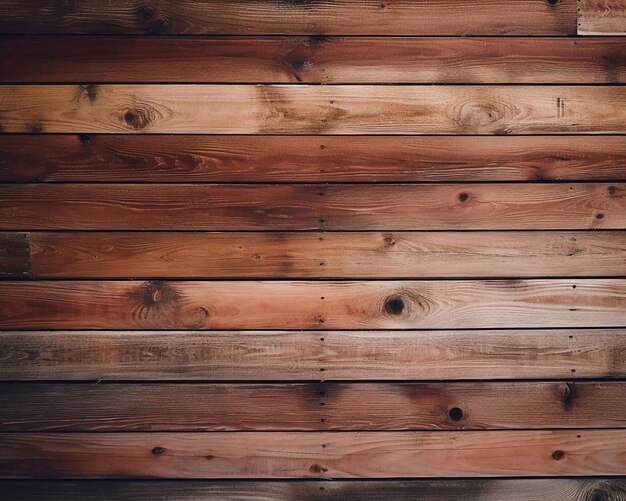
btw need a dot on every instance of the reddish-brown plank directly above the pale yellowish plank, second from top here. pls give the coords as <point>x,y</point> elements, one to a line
<point>310,59</point>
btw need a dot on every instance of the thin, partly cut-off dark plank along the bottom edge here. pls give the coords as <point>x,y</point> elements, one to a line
<point>555,489</point>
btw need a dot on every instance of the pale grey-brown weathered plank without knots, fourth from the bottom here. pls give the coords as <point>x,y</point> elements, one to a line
<point>310,355</point>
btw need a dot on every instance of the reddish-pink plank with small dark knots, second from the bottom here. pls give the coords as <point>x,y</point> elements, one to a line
<point>313,455</point>
